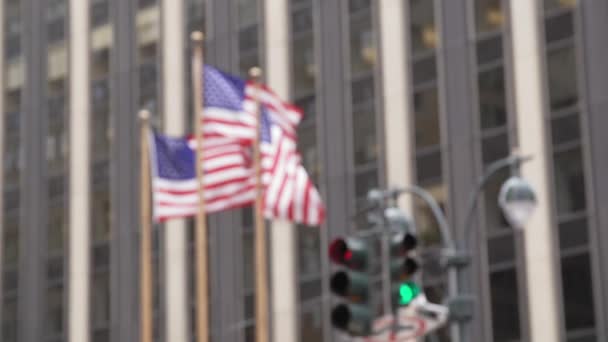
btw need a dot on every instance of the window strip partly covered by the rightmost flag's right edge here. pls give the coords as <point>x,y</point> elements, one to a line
<point>304,71</point>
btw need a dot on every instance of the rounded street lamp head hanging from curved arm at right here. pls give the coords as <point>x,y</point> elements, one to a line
<point>517,201</point>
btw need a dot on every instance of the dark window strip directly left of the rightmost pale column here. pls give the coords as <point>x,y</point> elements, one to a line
<point>493,125</point>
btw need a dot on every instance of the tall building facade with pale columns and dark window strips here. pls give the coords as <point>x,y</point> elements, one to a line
<point>395,92</point>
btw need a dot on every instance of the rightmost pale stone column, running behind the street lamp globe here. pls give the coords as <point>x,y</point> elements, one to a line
<point>541,269</point>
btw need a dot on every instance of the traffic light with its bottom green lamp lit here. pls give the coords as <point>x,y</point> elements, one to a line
<point>403,268</point>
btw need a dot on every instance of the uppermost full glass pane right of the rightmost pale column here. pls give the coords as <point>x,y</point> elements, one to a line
<point>563,90</point>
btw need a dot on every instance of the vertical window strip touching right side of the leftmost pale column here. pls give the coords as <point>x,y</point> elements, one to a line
<point>101,93</point>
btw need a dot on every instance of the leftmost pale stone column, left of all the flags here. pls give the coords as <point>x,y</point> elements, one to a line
<point>80,176</point>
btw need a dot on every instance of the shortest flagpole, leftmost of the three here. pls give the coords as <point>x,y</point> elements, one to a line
<point>145,231</point>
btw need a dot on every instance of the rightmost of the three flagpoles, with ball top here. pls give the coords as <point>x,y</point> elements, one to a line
<point>261,260</point>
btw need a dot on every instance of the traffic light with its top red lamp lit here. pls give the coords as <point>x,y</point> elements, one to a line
<point>352,284</point>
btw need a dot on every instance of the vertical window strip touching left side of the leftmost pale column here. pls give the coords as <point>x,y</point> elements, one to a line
<point>57,157</point>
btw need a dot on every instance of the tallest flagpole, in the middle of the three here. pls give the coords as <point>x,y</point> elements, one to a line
<point>202,271</point>
